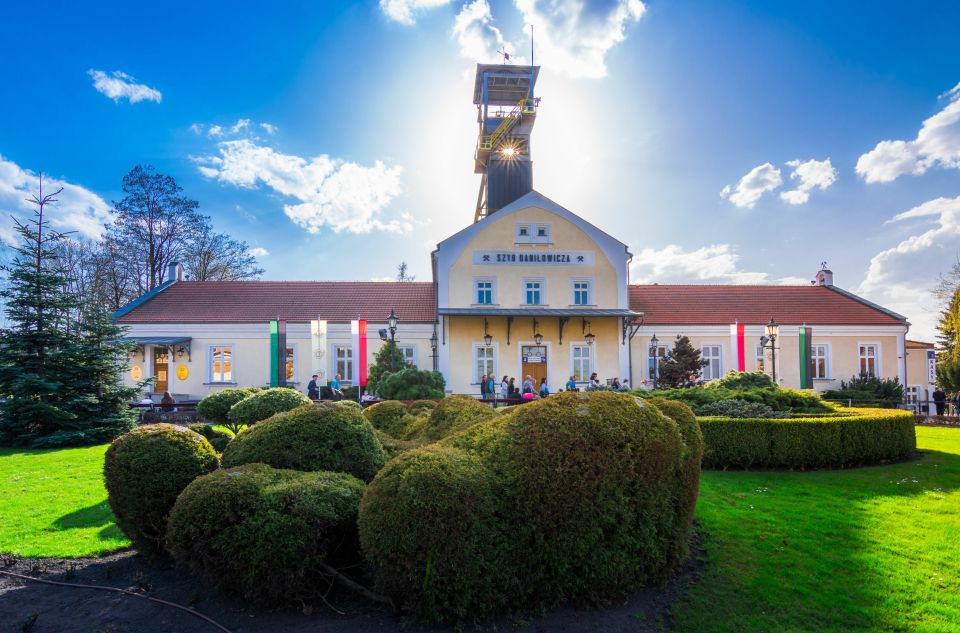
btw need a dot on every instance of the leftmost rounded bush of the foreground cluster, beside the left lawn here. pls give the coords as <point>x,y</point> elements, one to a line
<point>144,470</point>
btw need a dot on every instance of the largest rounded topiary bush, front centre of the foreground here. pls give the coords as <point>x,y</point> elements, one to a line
<point>578,496</point>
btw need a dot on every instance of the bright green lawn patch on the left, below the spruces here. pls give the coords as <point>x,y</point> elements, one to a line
<point>53,503</point>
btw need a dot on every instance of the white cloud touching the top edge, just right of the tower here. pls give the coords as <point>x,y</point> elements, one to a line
<point>573,36</point>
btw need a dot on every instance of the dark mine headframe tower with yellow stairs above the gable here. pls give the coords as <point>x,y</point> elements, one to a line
<point>506,112</point>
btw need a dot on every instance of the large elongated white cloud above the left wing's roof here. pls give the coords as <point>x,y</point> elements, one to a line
<point>332,193</point>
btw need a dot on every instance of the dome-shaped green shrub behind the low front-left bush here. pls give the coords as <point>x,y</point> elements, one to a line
<point>311,438</point>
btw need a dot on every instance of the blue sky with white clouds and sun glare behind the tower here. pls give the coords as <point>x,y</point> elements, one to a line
<point>357,153</point>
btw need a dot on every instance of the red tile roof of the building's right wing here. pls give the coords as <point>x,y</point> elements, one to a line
<point>675,304</point>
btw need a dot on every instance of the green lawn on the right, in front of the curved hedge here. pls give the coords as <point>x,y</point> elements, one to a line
<point>869,549</point>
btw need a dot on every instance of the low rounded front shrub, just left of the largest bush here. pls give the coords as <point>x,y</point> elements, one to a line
<point>266,534</point>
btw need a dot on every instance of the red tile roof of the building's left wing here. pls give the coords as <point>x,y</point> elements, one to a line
<point>260,301</point>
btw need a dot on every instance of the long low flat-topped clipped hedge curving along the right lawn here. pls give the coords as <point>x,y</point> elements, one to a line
<point>848,438</point>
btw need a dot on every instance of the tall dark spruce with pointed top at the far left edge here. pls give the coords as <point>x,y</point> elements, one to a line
<point>34,347</point>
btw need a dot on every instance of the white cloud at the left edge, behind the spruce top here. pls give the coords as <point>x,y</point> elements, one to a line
<point>78,209</point>
